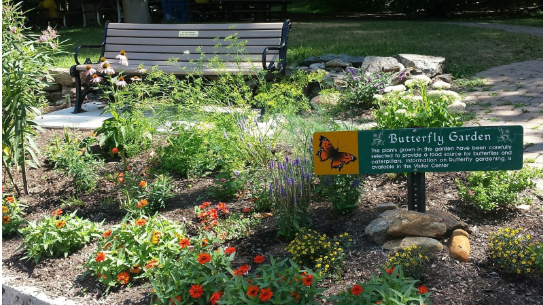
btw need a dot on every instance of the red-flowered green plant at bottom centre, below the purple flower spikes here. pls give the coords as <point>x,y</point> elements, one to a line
<point>279,282</point>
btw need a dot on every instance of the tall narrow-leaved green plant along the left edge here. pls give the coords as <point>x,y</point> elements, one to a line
<point>25,62</point>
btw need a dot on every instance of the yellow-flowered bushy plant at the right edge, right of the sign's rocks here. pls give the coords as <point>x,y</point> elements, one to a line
<point>512,251</point>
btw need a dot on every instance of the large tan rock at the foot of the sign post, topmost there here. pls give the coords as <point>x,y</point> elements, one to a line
<point>411,223</point>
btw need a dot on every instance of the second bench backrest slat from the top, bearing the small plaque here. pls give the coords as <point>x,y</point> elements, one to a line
<point>201,34</point>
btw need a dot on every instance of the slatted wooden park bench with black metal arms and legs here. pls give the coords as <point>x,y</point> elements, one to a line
<point>154,45</point>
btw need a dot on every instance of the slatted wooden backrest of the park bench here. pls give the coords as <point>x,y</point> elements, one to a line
<point>153,44</point>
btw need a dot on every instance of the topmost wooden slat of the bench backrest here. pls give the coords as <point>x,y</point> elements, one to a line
<point>194,27</point>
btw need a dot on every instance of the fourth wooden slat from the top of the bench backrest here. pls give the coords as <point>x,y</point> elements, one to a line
<point>116,48</point>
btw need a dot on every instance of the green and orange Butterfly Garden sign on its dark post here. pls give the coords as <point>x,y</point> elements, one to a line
<point>416,151</point>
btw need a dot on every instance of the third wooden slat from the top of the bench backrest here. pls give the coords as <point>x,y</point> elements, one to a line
<point>187,42</point>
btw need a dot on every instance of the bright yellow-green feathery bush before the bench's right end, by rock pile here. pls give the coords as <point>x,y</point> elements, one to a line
<point>286,96</point>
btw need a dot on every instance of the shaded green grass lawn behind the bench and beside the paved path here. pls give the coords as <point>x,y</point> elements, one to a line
<point>467,50</point>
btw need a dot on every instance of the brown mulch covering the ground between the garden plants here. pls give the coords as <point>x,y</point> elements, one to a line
<point>451,282</point>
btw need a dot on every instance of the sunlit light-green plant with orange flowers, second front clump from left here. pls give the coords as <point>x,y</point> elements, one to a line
<point>128,249</point>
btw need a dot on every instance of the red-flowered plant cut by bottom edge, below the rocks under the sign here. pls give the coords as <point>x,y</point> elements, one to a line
<point>393,287</point>
